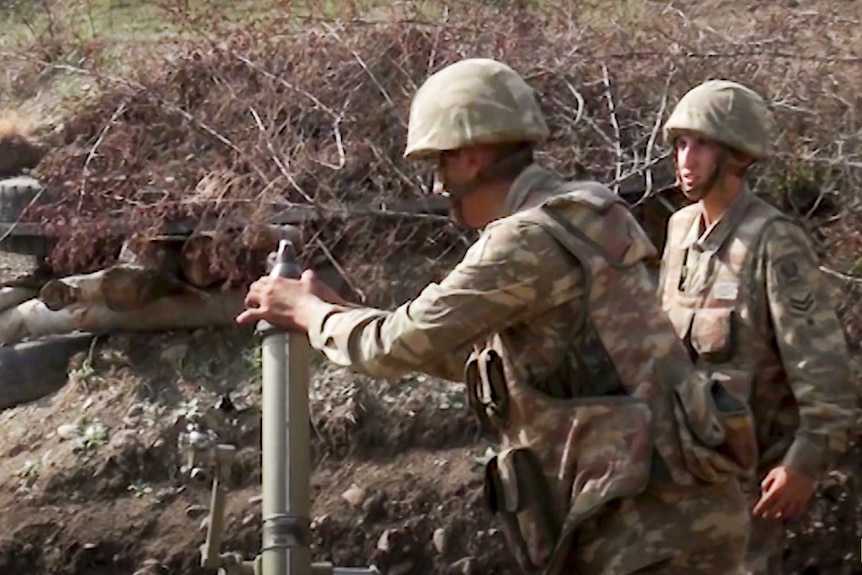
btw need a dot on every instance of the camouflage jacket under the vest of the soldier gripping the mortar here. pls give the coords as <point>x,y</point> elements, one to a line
<point>515,279</point>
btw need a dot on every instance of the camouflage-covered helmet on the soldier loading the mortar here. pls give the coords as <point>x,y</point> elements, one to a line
<point>474,101</point>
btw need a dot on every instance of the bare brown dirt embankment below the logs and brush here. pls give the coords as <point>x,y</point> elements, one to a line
<point>92,480</point>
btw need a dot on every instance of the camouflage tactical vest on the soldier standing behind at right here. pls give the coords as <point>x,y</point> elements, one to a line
<point>722,316</point>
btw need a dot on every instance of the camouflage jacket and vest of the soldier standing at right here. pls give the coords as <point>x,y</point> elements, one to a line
<point>748,299</point>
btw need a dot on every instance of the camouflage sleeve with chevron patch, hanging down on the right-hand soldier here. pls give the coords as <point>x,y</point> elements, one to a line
<point>813,349</point>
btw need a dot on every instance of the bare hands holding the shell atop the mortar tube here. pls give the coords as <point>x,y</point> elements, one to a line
<point>281,301</point>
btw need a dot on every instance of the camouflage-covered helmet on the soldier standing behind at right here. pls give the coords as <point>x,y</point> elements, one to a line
<point>726,112</point>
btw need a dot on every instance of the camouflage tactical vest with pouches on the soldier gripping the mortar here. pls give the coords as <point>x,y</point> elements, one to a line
<point>562,460</point>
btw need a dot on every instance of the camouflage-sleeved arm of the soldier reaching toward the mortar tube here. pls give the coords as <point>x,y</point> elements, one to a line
<point>515,271</point>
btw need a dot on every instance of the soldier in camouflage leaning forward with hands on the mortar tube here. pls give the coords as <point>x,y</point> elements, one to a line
<point>616,456</point>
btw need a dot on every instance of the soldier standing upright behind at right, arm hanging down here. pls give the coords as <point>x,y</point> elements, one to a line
<point>741,284</point>
